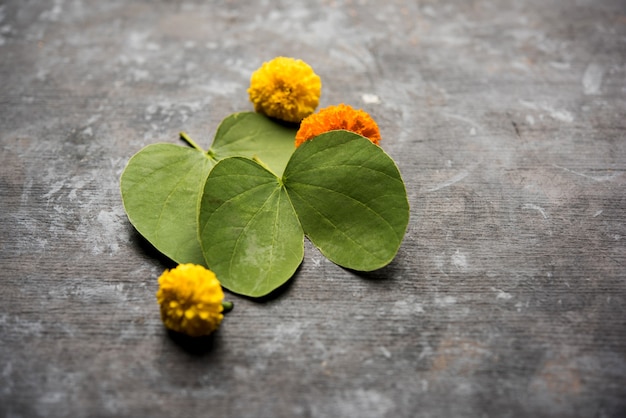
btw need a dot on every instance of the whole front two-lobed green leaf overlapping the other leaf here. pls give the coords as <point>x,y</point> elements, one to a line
<point>342,190</point>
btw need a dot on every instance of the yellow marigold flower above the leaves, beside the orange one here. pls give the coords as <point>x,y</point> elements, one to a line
<point>286,89</point>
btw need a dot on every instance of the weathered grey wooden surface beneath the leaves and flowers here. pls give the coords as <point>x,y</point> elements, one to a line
<point>508,297</point>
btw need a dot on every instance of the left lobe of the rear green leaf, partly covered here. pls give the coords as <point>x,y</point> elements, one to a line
<point>161,186</point>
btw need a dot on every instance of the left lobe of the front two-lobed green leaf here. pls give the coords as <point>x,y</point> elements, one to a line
<point>250,234</point>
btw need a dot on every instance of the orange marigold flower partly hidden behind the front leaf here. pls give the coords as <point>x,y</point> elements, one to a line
<point>338,117</point>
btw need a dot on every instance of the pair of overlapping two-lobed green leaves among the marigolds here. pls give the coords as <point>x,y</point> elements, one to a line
<point>243,207</point>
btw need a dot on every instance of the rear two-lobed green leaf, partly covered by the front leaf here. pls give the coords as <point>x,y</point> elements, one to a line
<point>162,184</point>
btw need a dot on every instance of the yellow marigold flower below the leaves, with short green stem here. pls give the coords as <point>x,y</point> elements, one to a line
<point>191,298</point>
